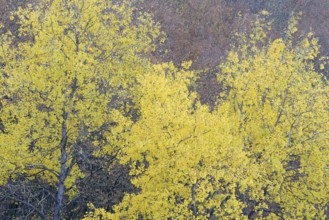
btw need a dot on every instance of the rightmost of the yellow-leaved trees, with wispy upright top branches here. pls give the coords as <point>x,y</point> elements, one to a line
<point>282,106</point>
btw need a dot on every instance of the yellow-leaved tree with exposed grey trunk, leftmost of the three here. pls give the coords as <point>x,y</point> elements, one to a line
<point>58,87</point>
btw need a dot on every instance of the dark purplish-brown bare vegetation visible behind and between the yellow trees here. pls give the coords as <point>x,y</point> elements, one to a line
<point>198,30</point>
